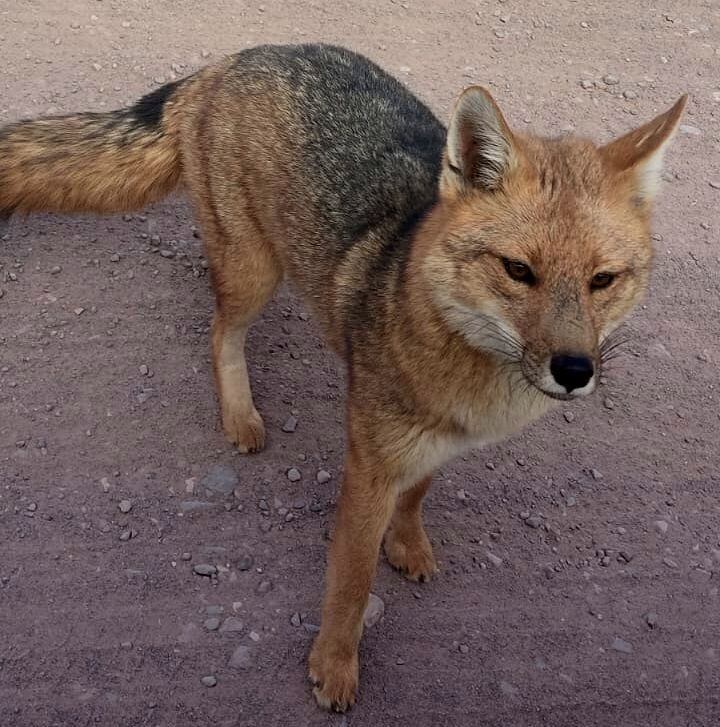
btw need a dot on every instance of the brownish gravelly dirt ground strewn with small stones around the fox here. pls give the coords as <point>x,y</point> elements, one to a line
<point>607,613</point>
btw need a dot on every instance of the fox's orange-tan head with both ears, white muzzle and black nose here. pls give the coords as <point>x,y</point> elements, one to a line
<point>542,246</point>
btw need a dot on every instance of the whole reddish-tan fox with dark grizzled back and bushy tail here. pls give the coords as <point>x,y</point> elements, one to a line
<point>469,276</point>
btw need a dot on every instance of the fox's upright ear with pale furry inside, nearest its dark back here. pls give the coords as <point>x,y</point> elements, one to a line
<point>480,146</point>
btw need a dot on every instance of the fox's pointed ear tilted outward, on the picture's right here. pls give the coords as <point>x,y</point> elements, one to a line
<point>641,151</point>
